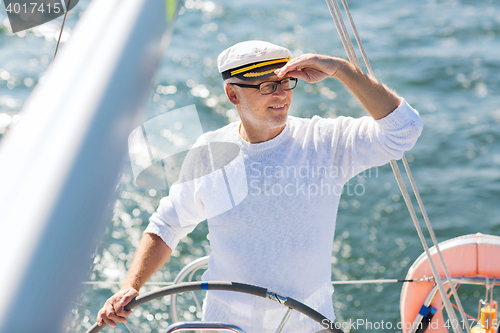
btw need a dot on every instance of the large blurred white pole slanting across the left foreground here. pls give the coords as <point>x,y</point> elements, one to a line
<point>59,165</point>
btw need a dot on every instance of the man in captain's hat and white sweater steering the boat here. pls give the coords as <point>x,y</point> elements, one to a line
<point>280,236</point>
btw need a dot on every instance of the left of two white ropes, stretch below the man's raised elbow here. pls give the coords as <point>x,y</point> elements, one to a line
<point>442,290</point>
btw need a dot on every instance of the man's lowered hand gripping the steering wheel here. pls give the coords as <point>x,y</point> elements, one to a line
<point>114,308</point>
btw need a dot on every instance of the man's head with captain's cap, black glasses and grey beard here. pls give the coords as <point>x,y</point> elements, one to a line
<point>253,63</point>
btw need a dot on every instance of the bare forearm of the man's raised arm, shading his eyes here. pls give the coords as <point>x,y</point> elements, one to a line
<point>377,99</point>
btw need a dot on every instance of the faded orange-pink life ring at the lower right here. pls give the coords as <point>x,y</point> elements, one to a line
<point>465,256</point>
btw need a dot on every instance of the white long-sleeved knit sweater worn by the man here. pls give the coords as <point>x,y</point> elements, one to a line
<point>271,212</point>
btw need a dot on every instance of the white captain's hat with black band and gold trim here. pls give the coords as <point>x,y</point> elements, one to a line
<point>252,60</point>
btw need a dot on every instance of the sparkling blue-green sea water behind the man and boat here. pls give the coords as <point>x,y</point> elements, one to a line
<point>441,56</point>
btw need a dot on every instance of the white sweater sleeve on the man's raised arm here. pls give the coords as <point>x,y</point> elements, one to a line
<point>361,143</point>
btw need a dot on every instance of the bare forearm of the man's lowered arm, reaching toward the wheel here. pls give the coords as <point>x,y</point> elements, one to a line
<point>150,256</point>
